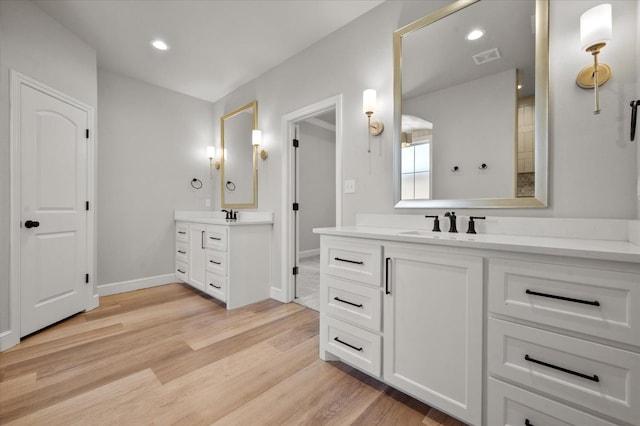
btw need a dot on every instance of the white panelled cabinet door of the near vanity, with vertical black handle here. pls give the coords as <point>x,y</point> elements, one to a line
<point>433,328</point>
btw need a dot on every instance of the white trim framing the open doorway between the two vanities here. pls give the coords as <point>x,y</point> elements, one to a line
<point>288,120</point>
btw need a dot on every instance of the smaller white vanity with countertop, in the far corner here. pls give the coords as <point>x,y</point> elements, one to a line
<point>229,260</point>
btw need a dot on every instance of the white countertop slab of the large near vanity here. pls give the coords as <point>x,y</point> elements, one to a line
<point>622,251</point>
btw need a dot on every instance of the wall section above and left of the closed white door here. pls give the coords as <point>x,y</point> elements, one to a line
<point>35,45</point>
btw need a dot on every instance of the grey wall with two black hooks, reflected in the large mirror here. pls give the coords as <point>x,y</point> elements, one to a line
<point>473,123</point>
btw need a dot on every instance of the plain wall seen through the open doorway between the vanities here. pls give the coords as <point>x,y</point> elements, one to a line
<point>317,168</point>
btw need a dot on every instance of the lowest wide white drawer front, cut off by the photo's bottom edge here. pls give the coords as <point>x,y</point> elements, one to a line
<point>509,405</point>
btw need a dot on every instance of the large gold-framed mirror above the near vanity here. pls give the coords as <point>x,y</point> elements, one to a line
<point>471,114</point>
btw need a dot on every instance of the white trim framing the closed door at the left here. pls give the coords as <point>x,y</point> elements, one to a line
<point>11,337</point>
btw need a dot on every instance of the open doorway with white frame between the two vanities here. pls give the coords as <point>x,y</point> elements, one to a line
<point>312,198</point>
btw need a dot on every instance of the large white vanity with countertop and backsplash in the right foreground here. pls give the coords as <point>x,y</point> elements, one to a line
<point>491,328</point>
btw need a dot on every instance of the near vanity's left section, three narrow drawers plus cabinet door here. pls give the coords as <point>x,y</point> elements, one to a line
<point>408,315</point>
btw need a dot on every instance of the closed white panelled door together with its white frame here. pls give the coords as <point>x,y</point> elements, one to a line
<point>52,208</point>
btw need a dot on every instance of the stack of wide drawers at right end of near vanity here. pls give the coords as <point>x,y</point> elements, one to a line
<point>567,330</point>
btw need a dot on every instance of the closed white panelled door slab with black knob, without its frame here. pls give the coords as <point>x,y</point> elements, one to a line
<point>54,249</point>
